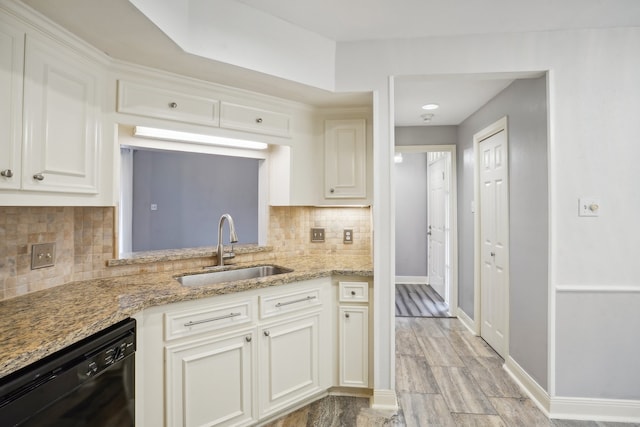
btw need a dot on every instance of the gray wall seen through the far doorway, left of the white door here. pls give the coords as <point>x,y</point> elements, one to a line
<point>411,215</point>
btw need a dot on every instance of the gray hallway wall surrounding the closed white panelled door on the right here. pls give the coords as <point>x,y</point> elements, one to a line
<point>525,104</point>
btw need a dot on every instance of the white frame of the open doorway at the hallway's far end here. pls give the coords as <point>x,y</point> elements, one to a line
<point>453,214</point>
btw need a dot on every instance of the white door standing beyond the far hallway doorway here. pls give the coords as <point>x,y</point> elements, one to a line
<point>437,222</point>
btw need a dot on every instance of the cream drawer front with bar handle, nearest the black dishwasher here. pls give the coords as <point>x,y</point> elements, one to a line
<point>190,322</point>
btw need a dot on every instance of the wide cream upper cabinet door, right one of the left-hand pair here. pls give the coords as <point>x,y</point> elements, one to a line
<point>61,119</point>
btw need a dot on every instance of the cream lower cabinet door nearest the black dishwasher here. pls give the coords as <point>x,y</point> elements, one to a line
<point>209,382</point>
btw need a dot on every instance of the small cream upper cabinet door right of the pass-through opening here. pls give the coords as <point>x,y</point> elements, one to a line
<point>345,159</point>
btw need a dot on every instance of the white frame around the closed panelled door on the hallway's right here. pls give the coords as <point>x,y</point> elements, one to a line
<point>492,129</point>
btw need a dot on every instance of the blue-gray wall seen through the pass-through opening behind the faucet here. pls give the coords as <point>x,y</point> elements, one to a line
<point>192,191</point>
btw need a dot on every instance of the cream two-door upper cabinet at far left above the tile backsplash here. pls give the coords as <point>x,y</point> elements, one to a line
<point>50,116</point>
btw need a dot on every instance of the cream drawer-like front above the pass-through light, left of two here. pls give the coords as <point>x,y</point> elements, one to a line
<point>150,101</point>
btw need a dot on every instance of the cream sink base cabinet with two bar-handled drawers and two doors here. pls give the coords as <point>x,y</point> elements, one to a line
<point>235,360</point>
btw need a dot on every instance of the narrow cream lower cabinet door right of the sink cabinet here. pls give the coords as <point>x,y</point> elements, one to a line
<point>354,346</point>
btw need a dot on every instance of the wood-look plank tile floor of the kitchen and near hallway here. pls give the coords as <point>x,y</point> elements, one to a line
<point>445,376</point>
